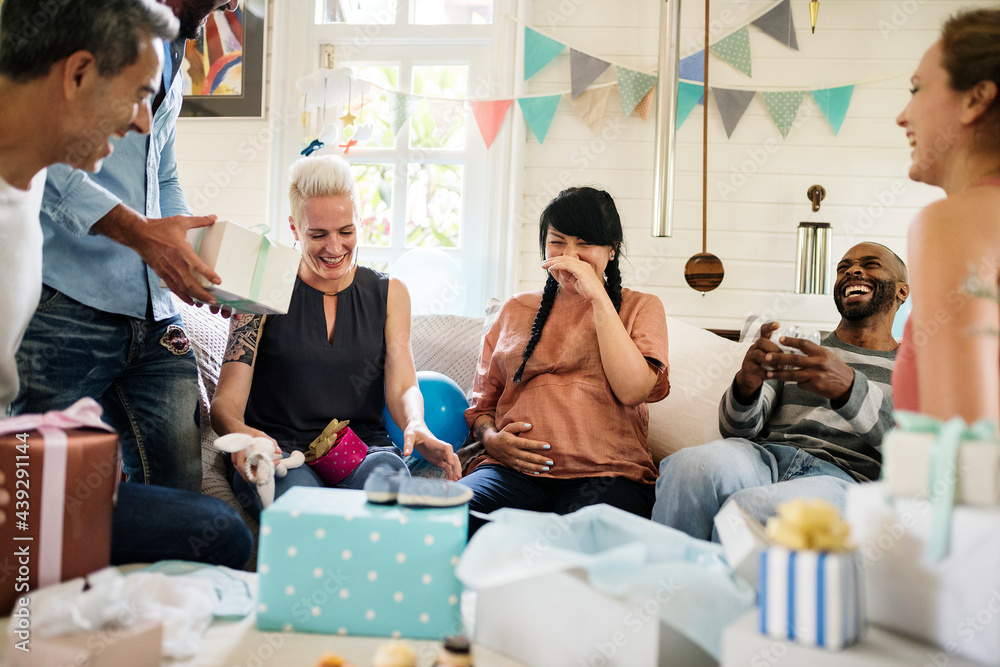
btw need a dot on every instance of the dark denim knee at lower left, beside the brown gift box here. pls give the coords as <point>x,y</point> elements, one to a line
<point>152,523</point>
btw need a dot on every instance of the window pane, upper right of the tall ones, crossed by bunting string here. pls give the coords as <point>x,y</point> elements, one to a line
<point>439,123</point>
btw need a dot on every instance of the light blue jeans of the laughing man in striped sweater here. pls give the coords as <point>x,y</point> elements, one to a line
<point>695,482</point>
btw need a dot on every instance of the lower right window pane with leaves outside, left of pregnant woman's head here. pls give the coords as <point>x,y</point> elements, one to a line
<point>434,205</point>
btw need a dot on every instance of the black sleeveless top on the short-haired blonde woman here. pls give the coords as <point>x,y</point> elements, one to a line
<point>301,380</point>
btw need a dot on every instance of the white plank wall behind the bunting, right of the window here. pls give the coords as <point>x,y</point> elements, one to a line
<point>752,224</point>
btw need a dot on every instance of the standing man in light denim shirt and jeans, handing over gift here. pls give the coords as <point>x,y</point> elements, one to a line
<point>104,327</point>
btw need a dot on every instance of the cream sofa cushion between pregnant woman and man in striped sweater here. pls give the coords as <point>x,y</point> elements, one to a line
<point>702,366</point>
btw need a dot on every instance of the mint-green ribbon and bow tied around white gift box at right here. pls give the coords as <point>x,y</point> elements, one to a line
<point>942,481</point>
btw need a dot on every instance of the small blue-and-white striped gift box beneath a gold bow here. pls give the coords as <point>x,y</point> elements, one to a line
<point>810,597</point>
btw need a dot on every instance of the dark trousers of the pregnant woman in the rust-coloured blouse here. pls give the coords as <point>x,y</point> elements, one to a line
<point>495,486</point>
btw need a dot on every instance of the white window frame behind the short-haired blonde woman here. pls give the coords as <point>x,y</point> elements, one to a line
<point>487,249</point>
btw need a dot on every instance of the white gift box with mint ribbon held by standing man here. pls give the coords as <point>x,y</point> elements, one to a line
<point>257,273</point>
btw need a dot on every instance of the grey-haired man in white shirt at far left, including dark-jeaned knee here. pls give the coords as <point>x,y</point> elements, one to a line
<point>71,74</point>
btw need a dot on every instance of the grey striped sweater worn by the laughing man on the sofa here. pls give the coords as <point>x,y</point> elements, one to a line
<point>849,437</point>
